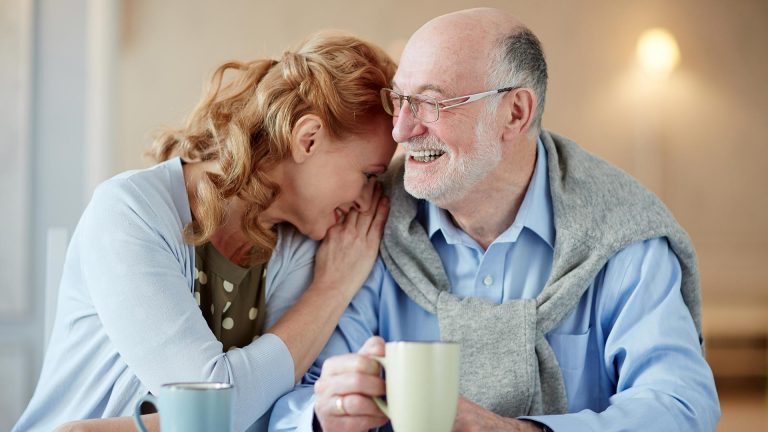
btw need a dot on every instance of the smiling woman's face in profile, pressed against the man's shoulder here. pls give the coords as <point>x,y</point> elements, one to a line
<point>339,175</point>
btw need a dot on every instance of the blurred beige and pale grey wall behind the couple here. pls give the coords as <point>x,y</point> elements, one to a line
<point>84,83</point>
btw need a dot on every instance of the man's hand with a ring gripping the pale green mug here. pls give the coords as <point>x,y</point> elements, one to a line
<point>343,391</point>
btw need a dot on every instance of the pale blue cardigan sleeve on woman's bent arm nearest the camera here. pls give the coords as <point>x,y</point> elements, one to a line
<point>134,267</point>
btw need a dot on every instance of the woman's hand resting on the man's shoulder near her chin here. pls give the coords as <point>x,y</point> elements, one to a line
<point>346,256</point>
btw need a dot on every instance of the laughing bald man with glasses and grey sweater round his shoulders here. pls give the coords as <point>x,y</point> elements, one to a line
<point>529,252</point>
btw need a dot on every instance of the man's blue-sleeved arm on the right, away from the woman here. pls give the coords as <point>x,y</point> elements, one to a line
<point>651,350</point>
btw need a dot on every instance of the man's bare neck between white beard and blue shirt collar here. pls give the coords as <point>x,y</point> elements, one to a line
<point>487,210</point>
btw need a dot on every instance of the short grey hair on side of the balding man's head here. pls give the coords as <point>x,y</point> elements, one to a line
<point>520,62</point>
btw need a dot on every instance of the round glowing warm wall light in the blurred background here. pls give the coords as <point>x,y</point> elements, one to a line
<point>657,52</point>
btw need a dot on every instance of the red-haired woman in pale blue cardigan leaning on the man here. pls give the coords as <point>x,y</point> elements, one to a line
<point>205,267</point>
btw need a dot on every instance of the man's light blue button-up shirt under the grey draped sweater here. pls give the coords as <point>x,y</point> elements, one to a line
<point>629,352</point>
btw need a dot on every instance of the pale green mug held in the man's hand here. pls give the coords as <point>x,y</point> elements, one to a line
<point>422,381</point>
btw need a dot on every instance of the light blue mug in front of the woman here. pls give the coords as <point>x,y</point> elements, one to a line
<point>190,407</point>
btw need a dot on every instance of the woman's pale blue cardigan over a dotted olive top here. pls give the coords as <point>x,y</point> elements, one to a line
<point>127,321</point>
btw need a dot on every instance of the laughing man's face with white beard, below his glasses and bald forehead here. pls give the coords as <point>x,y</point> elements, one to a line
<point>445,159</point>
